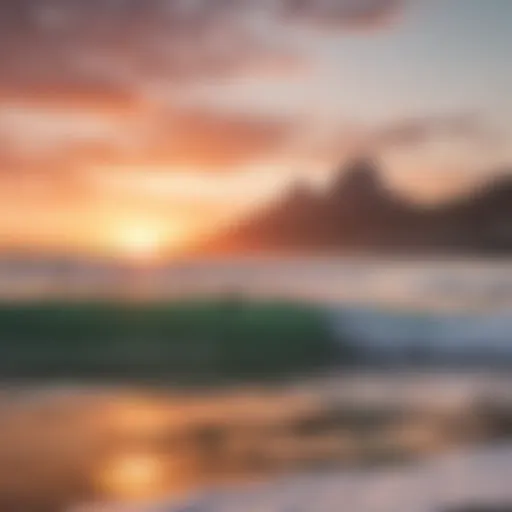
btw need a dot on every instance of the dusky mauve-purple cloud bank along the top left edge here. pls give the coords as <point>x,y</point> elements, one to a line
<point>116,44</point>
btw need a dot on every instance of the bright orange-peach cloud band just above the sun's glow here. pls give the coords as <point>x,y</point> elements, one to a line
<point>182,137</point>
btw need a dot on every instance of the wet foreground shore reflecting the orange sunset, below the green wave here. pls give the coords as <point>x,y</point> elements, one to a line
<point>101,445</point>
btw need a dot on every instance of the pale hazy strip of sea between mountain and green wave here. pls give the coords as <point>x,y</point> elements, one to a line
<point>455,283</point>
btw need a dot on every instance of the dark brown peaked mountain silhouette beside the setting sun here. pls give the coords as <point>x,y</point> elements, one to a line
<point>358,212</point>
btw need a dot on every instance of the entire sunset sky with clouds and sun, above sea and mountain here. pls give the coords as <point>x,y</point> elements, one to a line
<point>127,125</point>
